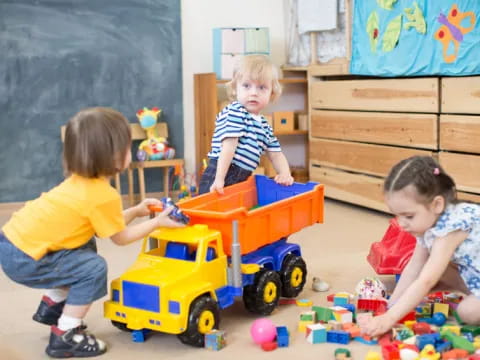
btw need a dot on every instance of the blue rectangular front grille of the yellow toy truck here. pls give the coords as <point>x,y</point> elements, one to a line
<point>141,296</point>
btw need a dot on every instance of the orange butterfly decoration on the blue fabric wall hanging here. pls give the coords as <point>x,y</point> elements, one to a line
<point>452,31</point>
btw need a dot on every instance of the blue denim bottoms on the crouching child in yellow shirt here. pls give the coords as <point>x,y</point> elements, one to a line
<point>81,270</point>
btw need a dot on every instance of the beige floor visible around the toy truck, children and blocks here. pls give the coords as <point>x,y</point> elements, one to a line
<point>335,251</point>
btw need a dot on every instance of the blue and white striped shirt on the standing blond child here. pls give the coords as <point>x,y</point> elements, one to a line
<point>255,136</point>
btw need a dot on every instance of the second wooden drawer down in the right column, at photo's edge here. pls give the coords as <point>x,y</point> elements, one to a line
<point>460,133</point>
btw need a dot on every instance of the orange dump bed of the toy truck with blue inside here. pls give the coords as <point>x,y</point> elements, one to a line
<point>265,211</point>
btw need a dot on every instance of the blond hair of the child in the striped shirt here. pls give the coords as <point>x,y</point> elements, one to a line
<point>256,67</point>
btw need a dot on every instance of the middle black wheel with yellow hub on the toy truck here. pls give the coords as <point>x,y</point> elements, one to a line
<point>262,296</point>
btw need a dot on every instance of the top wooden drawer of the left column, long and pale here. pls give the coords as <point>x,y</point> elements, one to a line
<point>404,95</point>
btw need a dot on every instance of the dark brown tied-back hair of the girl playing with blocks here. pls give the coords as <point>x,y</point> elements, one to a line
<point>426,175</point>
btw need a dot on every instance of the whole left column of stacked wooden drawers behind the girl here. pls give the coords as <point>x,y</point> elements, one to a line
<point>359,128</point>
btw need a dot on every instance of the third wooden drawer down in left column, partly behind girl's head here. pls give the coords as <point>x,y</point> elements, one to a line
<point>365,158</point>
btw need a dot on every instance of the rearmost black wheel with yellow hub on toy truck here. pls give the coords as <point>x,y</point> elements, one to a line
<point>293,275</point>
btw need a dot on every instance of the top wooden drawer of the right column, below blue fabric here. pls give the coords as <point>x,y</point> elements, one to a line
<point>461,95</point>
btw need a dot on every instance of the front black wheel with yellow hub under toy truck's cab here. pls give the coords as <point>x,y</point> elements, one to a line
<point>204,316</point>
